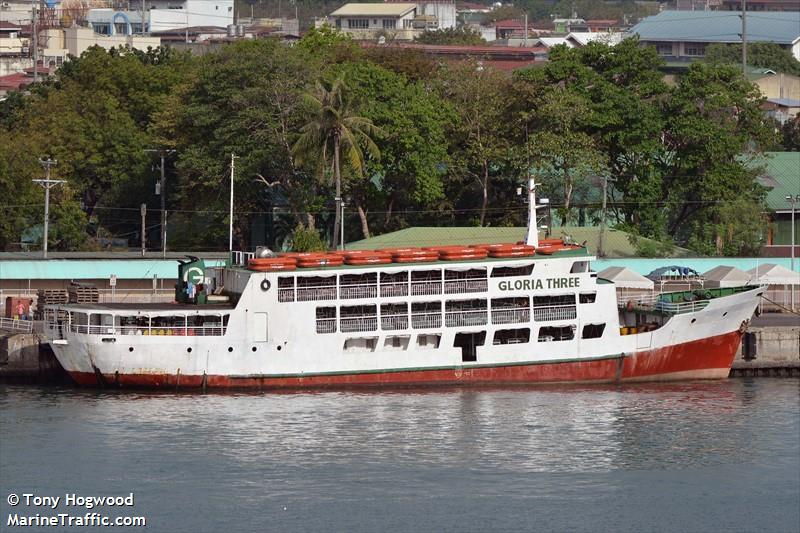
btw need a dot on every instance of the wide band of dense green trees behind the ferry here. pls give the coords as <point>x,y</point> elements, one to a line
<point>420,142</point>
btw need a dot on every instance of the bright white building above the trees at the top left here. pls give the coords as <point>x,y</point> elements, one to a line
<point>162,15</point>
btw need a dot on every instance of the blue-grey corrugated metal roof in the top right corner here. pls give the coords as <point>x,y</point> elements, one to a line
<point>720,26</point>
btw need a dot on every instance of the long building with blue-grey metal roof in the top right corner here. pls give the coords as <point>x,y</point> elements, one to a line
<point>686,35</point>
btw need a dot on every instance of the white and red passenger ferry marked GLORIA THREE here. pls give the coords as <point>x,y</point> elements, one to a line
<point>490,314</point>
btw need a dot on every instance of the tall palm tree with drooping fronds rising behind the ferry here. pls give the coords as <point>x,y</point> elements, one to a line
<point>334,127</point>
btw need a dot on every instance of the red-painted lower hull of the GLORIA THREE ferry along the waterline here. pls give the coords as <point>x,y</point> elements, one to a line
<point>709,358</point>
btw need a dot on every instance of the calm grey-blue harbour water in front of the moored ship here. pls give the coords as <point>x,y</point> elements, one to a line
<point>721,456</point>
